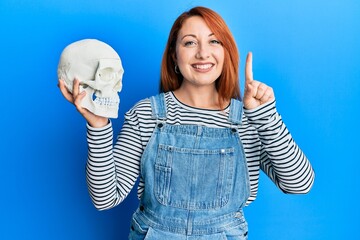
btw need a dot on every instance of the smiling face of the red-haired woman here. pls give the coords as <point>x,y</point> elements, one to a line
<point>199,54</point>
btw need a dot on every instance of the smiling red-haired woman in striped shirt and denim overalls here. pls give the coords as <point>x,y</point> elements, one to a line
<point>197,148</point>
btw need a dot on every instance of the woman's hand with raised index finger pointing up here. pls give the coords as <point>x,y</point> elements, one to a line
<point>256,93</point>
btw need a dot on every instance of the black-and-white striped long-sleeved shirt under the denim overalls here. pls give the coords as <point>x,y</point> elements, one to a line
<point>112,170</point>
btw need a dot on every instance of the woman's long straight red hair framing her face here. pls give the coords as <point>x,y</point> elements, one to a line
<point>227,84</point>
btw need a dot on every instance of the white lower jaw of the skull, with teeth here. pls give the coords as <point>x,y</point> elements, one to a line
<point>101,106</point>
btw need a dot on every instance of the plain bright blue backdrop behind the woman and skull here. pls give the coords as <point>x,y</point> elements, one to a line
<point>308,51</point>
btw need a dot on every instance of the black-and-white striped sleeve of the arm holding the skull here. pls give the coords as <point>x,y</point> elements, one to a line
<point>111,172</point>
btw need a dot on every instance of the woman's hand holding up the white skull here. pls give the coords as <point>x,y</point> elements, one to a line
<point>75,98</point>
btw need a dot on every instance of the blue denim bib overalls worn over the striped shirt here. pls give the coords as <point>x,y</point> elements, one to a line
<point>196,181</point>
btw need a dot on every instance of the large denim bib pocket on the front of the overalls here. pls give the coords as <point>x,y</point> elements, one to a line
<point>193,178</point>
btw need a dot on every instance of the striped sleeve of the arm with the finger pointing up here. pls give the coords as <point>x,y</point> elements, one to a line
<point>281,158</point>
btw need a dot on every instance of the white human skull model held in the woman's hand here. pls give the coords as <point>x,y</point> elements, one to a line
<point>98,68</point>
